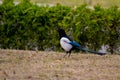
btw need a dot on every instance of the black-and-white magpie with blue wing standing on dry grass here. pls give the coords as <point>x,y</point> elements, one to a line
<point>68,44</point>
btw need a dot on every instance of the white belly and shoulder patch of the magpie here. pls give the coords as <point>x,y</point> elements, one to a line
<point>64,42</point>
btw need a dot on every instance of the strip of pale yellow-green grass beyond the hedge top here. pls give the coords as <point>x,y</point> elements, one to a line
<point>104,3</point>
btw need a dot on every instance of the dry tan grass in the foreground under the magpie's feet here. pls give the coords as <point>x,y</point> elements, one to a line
<point>28,65</point>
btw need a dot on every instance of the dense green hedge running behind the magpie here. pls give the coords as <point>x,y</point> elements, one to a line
<point>26,26</point>
